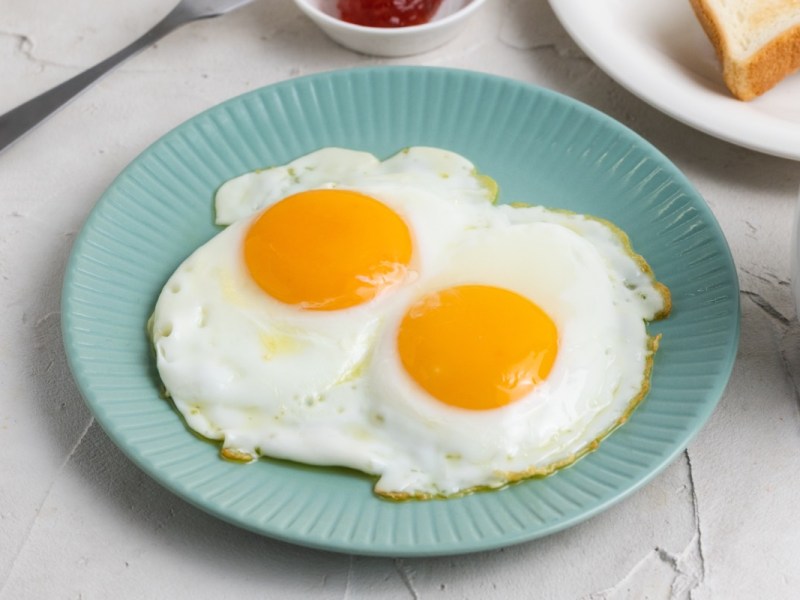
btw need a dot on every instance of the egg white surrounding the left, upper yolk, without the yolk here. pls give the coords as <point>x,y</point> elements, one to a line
<point>238,363</point>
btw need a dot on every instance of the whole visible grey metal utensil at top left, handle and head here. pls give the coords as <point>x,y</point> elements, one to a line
<point>22,119</point>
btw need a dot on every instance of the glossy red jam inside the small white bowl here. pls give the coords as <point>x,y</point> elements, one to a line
<point>387,13</point>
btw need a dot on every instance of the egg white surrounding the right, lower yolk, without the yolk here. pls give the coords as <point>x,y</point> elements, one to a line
<point>599,374</point>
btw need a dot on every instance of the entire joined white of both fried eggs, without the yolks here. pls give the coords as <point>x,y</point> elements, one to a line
<point>328,388</point>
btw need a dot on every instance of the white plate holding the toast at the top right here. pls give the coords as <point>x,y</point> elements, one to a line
<point>658,51</point>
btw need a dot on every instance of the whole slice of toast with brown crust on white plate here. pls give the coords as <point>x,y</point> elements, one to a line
<point>757,41</point>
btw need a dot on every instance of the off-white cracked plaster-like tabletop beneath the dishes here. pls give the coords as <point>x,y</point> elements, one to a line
<point>78,520</point>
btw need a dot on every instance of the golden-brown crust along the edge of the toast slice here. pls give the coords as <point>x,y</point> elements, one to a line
<point>761,71</point>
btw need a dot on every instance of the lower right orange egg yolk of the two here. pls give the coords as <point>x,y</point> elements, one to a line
<point>477,347</point>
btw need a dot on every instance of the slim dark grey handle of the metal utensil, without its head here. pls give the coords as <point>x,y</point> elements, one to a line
<point>23,118</point>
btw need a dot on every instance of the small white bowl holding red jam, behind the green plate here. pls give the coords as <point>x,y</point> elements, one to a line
<point>445,24</point>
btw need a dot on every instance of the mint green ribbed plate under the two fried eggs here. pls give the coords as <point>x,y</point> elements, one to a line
<point>541,147</point>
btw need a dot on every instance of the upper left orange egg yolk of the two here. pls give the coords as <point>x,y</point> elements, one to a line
<point>327,249</point>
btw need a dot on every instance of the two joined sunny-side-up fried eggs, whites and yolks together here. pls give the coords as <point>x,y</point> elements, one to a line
<point>389,317</point>
